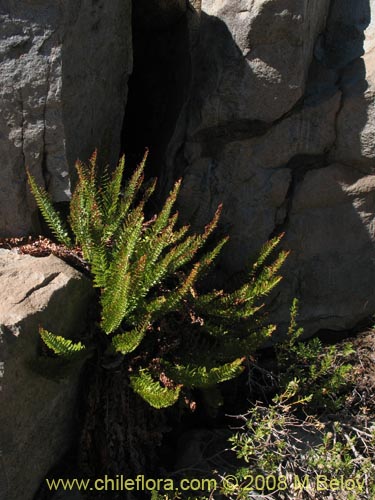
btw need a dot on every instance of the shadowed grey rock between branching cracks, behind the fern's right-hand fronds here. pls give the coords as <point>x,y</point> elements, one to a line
<point>259,178</point>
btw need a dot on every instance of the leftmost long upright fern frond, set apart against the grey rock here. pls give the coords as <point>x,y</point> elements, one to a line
<point>50,215</point>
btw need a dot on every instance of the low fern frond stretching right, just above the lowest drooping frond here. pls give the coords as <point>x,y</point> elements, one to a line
<point>200,376</point>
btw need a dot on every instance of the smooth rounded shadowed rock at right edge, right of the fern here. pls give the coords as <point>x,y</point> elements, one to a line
<point>332,264</point>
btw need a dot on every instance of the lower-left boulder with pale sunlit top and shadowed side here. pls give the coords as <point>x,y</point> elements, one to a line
<point>37,411</point>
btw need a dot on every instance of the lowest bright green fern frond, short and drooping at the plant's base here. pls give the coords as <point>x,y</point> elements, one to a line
<point>152,392</point>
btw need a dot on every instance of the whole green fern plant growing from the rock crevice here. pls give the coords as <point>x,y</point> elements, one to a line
<point>171,336</point>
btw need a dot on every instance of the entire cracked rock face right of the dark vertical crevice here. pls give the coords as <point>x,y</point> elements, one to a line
<point>278,123</point>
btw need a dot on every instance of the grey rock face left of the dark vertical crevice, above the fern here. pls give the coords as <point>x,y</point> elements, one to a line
<point>63,84</point>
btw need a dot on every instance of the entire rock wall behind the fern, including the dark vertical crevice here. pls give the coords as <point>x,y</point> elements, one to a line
<point>266,105</point>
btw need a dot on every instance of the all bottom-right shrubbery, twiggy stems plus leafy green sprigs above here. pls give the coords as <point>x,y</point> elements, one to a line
<point>295,438</point>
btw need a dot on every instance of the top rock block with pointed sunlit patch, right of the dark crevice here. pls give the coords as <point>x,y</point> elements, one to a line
<point>257,55</point>
